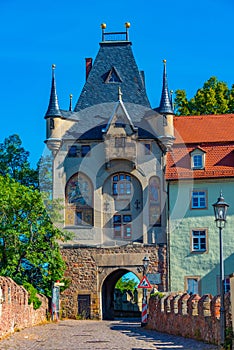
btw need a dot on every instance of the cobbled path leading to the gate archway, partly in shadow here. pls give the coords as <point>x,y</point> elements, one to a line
<point>96,335</point>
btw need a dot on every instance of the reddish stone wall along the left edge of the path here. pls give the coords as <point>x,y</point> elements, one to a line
<point>15,313</point>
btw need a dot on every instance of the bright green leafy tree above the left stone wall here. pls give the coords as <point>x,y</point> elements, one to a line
<point>29,249</point>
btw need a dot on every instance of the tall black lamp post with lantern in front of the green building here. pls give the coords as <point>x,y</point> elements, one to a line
<point>220,212</point>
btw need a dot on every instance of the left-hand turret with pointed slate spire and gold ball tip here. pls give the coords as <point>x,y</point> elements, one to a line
<point>53,119</point>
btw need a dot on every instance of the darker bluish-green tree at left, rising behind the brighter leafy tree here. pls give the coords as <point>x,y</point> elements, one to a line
<point>14,162</point>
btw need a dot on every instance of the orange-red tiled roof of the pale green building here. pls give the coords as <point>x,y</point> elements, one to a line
<point>214,134</point>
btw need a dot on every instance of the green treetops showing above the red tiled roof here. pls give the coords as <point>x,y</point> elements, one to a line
<point>213,98</point>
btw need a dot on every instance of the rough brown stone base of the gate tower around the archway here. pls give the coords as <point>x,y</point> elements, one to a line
<point>88,268</point>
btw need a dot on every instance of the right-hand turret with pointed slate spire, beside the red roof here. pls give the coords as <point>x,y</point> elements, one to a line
<point>166,110</point>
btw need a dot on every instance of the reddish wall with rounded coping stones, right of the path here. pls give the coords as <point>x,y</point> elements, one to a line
<point>190,316</point>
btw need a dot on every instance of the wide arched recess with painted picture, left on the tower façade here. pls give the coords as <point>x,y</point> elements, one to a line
<point>79,201</point>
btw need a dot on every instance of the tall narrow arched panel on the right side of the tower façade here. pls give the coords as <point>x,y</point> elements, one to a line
<point>154,201</point>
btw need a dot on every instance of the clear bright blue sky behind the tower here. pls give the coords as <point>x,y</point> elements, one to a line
<point>196,38</point>
